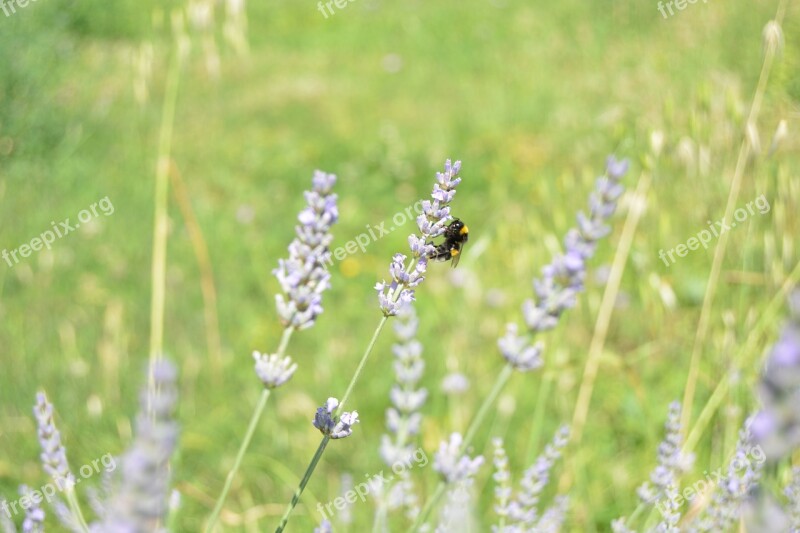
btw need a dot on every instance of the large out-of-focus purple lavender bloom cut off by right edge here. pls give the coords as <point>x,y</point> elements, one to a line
<point>776,428</point>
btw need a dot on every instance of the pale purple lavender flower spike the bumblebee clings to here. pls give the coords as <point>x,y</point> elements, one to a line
<point>431,223</point>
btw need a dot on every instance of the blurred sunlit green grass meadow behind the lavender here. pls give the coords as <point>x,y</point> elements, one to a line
<point>531,96</point>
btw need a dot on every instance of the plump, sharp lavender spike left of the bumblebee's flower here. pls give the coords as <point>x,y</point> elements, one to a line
<point>303,276</point>
